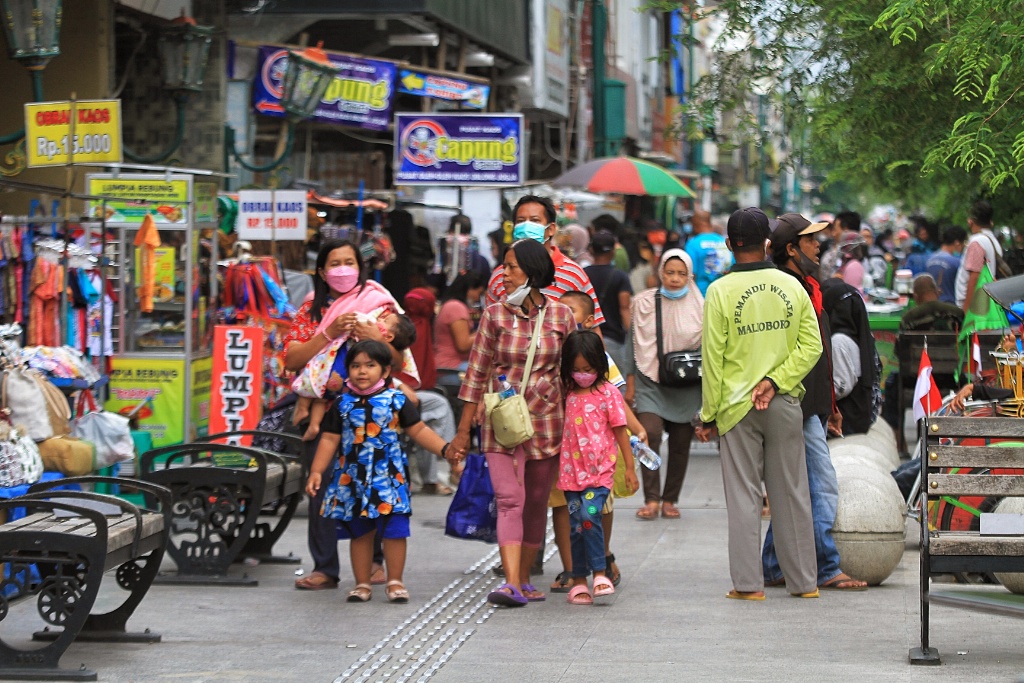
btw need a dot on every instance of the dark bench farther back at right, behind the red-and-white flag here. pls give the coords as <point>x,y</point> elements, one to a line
<point>946,358</point>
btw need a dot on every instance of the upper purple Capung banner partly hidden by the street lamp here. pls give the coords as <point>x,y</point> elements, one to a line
<point>362,95</point>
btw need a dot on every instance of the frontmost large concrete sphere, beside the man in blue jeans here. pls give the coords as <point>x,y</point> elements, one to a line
<point>870,528</point>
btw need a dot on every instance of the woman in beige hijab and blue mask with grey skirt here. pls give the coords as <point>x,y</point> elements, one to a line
<point>659,408</point>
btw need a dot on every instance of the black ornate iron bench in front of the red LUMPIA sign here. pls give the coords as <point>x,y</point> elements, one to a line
<point>219,492</point>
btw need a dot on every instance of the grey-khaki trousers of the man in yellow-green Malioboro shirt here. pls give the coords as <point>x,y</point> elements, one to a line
<point>769,446</point>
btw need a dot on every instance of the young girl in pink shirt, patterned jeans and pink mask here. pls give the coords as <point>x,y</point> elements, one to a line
<point>594,435</point>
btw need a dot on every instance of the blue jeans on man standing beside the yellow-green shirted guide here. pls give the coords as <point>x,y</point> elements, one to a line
<point>825,501</point>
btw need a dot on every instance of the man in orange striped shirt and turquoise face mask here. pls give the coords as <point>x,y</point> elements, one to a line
<point>535,219</point>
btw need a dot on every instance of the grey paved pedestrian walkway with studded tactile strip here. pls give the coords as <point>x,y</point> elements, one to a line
<point>670,620</point>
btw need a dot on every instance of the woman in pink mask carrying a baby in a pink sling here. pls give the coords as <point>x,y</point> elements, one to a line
<point>342,293</point>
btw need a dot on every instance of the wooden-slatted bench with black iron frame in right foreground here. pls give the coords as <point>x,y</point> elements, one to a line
<point>951,552</point>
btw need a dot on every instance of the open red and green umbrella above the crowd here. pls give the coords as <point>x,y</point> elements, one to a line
<point>624,176</point>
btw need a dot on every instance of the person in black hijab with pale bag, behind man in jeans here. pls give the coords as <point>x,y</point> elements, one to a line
<point>856,364</point>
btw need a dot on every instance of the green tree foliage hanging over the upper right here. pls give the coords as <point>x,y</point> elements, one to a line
<point>909,101</point>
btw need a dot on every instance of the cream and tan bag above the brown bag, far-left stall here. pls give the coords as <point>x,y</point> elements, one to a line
<point>35,404</point>
